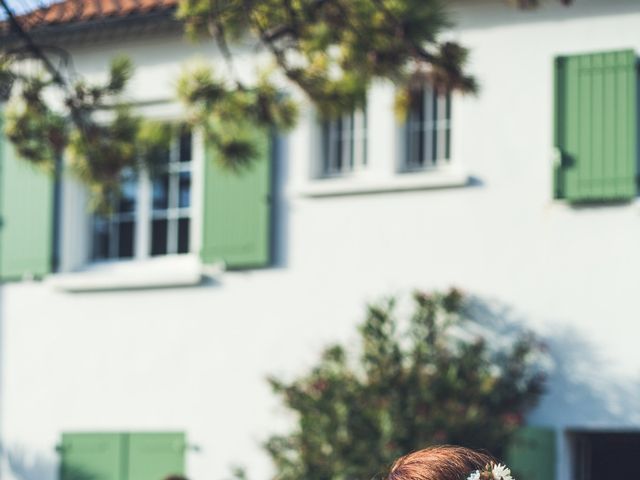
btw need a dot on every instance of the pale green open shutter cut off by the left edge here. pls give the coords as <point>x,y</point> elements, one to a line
<point>26,216</point>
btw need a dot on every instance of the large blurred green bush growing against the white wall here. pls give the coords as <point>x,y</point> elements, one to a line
<point>431,382</point>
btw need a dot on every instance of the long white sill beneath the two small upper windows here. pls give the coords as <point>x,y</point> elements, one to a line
<point>405,181</point>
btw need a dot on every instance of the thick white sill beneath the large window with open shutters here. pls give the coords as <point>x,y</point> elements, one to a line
<point>159,272</point>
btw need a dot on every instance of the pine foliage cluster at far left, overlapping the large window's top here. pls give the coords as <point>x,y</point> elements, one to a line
<point>99,150</point>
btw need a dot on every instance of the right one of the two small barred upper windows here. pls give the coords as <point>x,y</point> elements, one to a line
<point>428,129</point>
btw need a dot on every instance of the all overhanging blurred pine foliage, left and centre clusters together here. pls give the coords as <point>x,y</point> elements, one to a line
<point>330,51</point>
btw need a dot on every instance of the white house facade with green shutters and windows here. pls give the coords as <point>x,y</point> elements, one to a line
<point>523,196</point>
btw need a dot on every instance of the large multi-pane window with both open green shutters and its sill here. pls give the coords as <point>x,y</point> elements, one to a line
<point>213,213</point>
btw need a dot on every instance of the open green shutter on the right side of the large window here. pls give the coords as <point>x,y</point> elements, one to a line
<point>237,211</point>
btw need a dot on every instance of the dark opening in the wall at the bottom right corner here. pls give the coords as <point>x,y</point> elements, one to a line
<point>606,455</point>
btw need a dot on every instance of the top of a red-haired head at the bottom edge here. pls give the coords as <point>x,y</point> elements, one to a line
<point>444,462</point>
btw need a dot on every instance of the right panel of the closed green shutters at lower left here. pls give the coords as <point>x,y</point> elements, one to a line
<point>154,456</point>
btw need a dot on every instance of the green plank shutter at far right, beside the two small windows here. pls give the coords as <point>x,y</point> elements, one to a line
<point>596,126</point>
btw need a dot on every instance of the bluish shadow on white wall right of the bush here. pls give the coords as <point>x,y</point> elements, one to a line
<point>584,389</point>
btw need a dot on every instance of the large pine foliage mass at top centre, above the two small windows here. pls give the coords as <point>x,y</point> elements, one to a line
<point>334,49</point>
